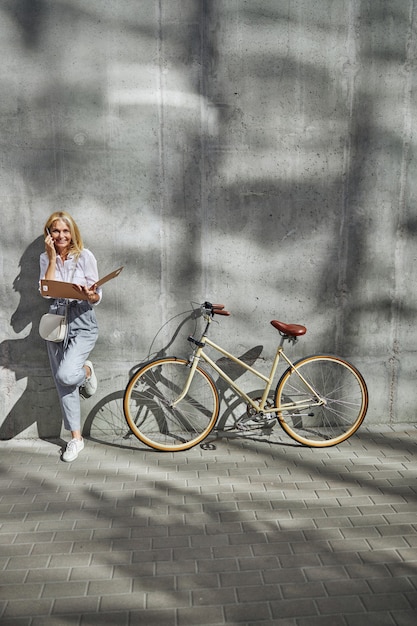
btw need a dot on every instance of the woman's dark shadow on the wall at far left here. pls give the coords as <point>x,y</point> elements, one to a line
<point>26,357</point>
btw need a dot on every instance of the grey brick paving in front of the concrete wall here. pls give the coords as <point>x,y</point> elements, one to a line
<point>251,532</point>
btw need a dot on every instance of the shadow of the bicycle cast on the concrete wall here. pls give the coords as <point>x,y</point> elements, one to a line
<point>106,422</point>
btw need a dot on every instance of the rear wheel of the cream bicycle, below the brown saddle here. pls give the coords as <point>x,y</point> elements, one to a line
<point>339,412</point>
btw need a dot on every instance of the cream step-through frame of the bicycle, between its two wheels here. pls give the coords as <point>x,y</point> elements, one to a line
<point>259,407</point>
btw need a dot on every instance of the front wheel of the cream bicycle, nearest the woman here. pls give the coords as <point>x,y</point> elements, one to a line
<point>152,419</point>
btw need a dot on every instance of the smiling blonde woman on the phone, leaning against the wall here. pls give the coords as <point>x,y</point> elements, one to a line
<point>67,260</point>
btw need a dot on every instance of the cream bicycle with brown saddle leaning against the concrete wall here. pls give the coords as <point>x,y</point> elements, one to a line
<point>172,404</point>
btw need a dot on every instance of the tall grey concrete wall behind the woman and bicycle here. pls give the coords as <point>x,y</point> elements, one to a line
<point>254,152</point>
